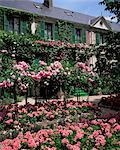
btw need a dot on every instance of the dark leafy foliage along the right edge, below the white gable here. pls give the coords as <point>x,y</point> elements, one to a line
<point>108,64</point>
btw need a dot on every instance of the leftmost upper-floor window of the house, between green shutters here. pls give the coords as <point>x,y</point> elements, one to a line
<point>14,25</point>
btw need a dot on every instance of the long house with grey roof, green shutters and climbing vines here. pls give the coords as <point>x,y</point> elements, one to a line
<point>52,23</point>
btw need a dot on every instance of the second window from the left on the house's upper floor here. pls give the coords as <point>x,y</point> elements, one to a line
<point>48,31</point>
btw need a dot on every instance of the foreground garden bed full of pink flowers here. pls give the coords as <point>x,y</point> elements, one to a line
<point>56,125</point>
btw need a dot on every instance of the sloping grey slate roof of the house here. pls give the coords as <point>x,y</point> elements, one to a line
<point>53,12</point>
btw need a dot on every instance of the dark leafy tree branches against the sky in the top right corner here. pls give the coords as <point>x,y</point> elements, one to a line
<point>113,6</point>
